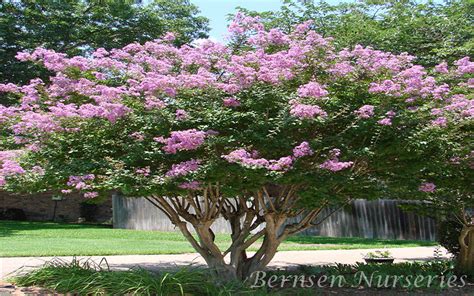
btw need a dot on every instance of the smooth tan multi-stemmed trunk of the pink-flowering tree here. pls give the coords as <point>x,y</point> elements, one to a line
<point>253,218</point>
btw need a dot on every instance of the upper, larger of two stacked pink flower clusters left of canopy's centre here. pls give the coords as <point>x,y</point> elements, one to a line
<point>182,140</point>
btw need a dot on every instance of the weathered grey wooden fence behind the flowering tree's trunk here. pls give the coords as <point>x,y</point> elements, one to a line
<point>381,219</point>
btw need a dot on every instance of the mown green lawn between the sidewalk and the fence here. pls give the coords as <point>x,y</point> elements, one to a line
<point>58,239</point>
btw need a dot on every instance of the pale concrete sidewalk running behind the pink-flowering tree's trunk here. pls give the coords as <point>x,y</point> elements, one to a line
<point>9,266</point>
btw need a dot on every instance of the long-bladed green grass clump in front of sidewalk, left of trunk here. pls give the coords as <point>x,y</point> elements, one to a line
<point>85,277</point>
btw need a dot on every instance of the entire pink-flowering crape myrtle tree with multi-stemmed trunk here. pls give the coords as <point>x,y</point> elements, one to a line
<point>266,128</point>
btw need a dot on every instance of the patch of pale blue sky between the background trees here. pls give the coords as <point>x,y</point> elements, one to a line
<point>217,10</point>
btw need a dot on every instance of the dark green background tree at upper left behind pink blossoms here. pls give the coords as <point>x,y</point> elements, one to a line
<point>77,27</point>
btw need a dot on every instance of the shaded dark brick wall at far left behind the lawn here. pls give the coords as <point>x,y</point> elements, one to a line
<point>40,207</point>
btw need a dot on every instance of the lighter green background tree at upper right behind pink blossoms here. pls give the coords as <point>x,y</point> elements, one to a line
<point>431,31</point>
